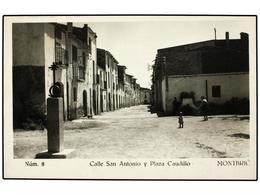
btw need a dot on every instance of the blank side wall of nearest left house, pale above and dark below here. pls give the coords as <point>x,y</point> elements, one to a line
<point>33,53</point>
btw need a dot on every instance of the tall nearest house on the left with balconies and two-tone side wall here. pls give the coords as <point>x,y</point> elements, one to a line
<point>35,47</point>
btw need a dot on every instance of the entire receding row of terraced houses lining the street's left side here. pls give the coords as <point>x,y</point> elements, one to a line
<point>91,78</point>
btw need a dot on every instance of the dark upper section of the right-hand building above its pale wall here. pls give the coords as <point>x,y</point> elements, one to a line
<point>211,56</point>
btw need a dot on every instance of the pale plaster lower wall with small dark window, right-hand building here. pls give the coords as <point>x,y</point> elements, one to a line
<point>232,85</point>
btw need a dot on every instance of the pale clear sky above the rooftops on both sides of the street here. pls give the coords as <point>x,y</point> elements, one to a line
<point>135,43</point>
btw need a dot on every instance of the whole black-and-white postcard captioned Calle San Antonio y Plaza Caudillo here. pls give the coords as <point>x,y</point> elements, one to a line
<point>130,97</point>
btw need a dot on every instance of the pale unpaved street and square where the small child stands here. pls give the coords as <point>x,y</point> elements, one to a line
<point>136,133</point>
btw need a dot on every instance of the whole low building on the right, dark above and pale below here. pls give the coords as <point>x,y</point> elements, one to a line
<point>215,69</point>
